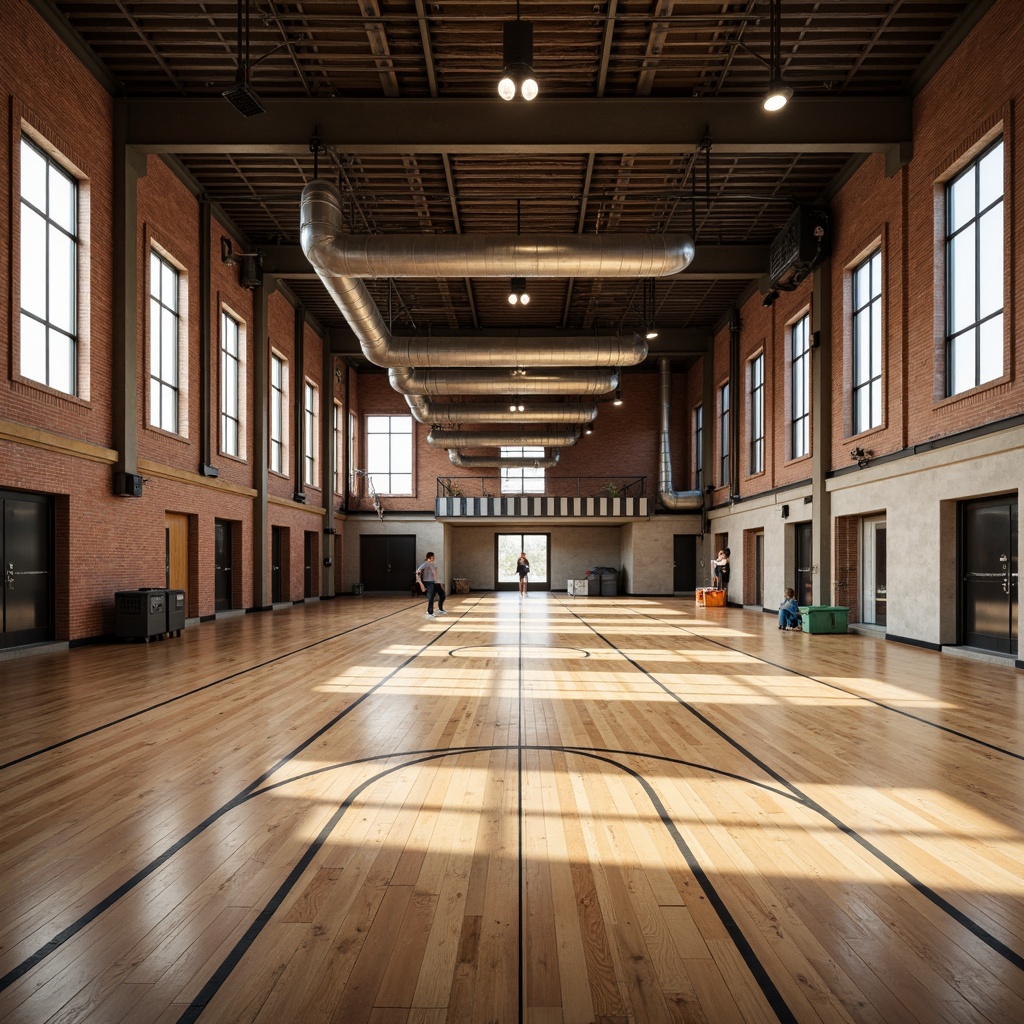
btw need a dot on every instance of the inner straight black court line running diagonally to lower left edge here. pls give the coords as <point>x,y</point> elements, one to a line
<point>240,798</point>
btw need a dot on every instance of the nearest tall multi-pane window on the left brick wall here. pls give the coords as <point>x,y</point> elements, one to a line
<point>49,272</point>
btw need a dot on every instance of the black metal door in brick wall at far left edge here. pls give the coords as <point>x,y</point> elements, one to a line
<point>26,553</point>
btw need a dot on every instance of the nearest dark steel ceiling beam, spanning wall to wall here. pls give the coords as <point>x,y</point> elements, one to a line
<point>833,124</point>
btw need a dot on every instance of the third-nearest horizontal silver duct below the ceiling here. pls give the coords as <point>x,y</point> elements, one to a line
<point>588,383</point>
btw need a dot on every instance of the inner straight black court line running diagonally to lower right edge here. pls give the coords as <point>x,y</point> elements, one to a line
<point>996,945</point>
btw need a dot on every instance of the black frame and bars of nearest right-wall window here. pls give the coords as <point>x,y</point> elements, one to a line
<point>982,271</point>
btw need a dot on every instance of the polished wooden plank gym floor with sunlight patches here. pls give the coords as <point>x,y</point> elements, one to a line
<point>550,810</point>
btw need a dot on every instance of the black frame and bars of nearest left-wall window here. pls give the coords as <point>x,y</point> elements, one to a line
<point>74,235</point>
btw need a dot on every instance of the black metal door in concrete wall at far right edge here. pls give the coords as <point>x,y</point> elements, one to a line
<point>989,574</point>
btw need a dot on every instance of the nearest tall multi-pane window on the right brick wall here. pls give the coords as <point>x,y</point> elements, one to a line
<point>974,273</point>
